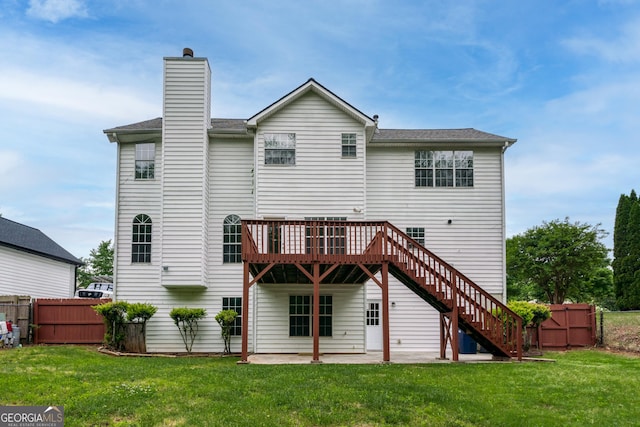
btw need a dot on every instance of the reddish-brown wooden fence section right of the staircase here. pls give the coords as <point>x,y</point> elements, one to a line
<point>570,325</point>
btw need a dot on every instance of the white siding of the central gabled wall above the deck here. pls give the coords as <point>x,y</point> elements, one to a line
<point>321,183</point>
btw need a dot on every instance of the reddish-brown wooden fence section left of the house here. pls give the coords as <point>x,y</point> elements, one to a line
<point>67,321</point>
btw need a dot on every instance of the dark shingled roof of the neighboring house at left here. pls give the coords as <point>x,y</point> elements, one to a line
<point>32,240</point>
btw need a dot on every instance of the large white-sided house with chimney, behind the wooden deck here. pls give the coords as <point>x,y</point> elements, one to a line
<point>185,181</point>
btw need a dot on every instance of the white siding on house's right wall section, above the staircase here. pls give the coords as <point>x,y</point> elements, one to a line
<point>473,241</point>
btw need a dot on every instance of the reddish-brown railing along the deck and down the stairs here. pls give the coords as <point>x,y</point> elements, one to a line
<point>372,242</point>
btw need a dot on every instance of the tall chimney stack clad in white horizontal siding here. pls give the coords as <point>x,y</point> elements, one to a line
<point>185,172</point>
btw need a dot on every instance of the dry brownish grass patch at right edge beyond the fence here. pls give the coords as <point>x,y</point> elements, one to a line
<point>622,330</point>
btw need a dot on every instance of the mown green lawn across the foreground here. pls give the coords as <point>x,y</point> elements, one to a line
<point>581,388</point>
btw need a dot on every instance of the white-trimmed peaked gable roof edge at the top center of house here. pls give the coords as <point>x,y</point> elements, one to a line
<point>311,86</point>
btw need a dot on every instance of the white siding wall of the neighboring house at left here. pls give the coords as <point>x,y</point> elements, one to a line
<point>22,273</point>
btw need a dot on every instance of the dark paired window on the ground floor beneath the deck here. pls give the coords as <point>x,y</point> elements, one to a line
<point>301,315</point>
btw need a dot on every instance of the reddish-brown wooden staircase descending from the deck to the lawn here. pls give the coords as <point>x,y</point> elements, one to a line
<point>460,301</point>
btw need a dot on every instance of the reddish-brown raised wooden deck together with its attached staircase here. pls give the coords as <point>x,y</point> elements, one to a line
<point>284,251</point>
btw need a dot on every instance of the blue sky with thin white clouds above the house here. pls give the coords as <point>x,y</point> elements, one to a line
<point>560,76</point>
